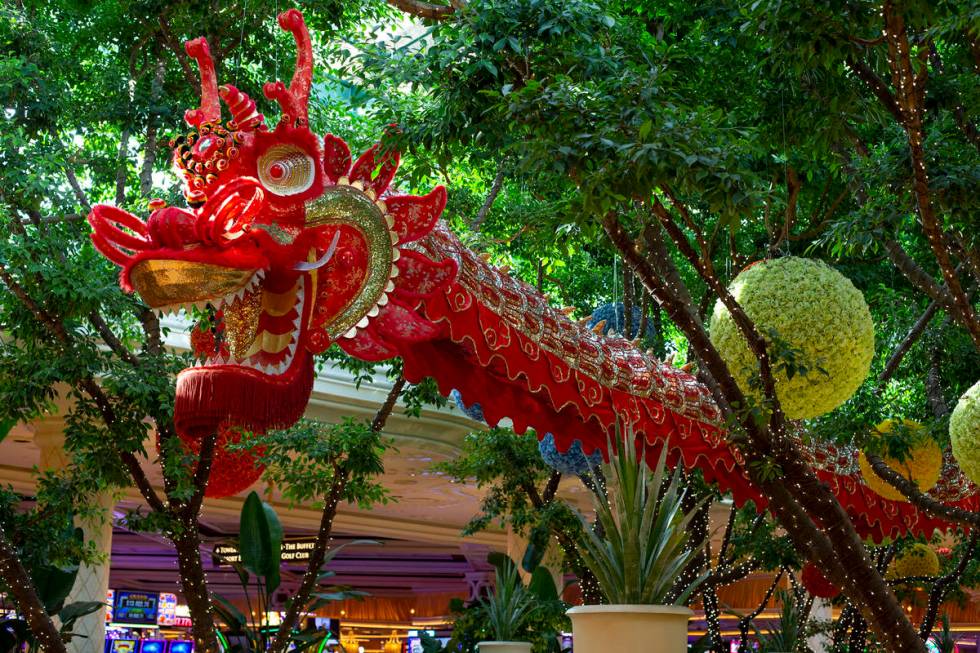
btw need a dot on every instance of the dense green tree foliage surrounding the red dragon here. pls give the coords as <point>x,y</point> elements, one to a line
<point>770,126</point>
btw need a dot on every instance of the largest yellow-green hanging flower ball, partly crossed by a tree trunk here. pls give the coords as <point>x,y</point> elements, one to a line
<point>815,310</point>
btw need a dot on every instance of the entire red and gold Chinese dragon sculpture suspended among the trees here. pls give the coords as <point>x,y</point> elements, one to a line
<point>295,248</point>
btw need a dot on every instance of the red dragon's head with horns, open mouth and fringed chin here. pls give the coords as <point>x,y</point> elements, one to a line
<point>286,244</point>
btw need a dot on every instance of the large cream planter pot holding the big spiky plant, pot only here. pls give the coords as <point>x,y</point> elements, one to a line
<point>647,628</point>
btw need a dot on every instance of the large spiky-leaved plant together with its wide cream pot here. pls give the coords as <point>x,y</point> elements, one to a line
<point>638,560</point>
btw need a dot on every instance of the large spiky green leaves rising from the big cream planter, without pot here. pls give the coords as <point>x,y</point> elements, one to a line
<point>645,546</point>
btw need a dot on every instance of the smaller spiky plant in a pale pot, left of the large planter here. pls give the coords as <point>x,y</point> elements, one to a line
<point>506,609</point>
